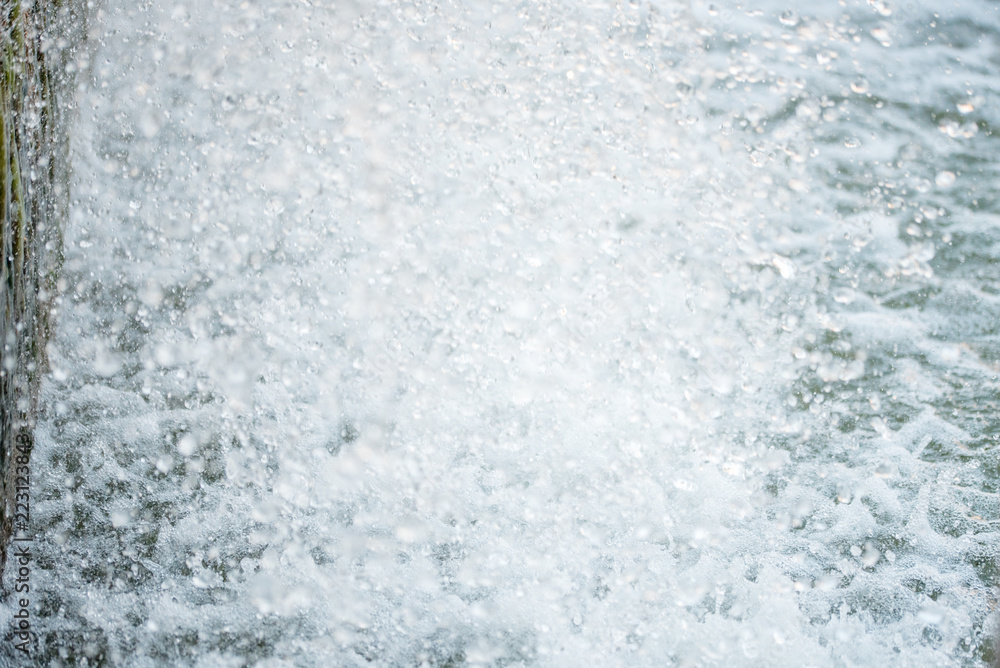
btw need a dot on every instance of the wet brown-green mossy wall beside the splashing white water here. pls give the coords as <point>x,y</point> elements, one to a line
<point>39,40</point>
